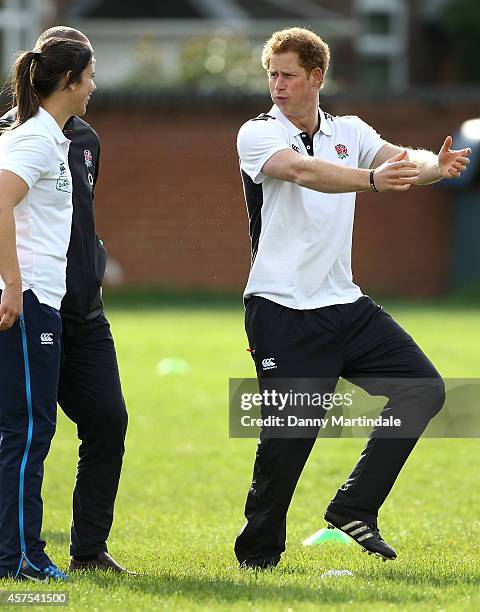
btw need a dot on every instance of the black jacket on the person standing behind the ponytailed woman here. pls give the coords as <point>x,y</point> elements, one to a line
<point>86,256</point>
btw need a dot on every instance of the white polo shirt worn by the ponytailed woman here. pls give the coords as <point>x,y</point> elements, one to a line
<point>37,152</point>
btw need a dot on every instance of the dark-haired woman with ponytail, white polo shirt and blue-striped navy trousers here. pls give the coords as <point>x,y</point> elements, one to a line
<point>49,86</point>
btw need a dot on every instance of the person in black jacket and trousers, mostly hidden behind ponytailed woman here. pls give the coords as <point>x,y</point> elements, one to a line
<point>89,390</point>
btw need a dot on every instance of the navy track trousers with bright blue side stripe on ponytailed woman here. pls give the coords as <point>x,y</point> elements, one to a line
<point>30,357</point>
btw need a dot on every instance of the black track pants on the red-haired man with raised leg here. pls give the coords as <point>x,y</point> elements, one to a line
<point>356,341</point>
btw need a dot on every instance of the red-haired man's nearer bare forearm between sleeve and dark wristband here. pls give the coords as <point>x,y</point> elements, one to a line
<point>331,178</point>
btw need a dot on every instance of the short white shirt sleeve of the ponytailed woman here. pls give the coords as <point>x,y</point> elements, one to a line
<point>26,155</point>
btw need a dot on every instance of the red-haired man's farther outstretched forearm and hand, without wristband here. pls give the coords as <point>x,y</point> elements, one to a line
<point>432,168</point>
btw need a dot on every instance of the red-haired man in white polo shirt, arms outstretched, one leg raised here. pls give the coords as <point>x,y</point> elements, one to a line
<point>305,317</point>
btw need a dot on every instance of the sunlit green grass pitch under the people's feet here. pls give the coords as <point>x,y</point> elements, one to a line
<point>183,488</point>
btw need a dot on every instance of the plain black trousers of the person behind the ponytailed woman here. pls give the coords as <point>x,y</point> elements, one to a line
<point>90,394</point>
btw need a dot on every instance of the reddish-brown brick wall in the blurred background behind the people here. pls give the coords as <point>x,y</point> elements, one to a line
<point>170,206</point>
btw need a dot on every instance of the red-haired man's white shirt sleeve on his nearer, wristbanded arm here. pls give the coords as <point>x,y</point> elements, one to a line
<point>257,141</point>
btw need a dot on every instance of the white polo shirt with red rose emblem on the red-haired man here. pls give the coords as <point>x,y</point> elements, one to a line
<point>301,238</point>
